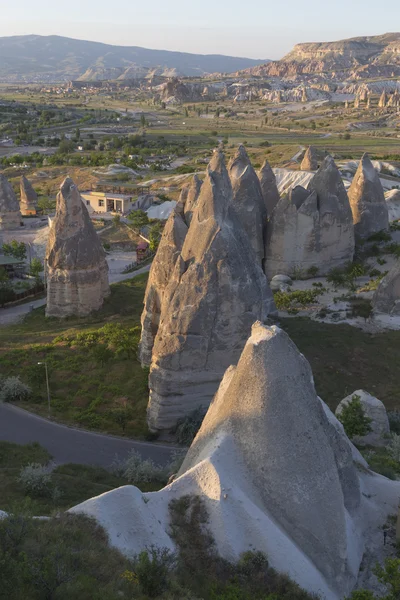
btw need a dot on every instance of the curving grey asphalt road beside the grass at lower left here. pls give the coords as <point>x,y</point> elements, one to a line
<point>67,444</point>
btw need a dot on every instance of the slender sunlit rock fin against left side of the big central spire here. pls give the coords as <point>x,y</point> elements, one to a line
<point>161,271</point>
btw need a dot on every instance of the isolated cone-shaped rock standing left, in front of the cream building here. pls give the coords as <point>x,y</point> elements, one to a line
<point>77,276</point>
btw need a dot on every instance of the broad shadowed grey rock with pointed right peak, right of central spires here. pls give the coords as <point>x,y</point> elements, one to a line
<point>311,228</point>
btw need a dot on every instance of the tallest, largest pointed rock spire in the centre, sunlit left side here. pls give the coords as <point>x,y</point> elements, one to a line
<point>216,292</point>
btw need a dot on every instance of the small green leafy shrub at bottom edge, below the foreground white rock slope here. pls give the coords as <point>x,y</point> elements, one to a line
<point>152,568</point>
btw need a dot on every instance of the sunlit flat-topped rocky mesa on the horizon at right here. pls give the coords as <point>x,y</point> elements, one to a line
<point>358,58</point>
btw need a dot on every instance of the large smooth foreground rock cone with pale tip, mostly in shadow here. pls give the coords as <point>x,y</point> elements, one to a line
<point>268,415</point>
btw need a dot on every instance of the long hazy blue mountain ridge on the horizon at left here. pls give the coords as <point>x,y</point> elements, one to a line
<point>35,58</point>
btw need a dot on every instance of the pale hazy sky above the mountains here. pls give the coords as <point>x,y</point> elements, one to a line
<point>252,28</point>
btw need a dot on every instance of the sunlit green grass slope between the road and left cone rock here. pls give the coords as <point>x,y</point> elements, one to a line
<point>90,383</point>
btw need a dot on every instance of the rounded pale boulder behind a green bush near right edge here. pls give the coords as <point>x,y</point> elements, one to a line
<point>375,410</point>
